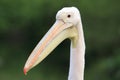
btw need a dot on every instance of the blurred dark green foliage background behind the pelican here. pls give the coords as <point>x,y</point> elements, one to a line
<point>24,22</point>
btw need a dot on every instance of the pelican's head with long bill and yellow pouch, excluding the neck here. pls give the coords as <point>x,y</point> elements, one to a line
<point>65,26</point>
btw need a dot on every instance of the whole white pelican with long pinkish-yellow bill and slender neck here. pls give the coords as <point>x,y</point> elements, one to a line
<point>68,25</point>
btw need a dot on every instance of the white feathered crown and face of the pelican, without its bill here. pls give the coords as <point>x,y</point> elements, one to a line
<point>69,15</point>
